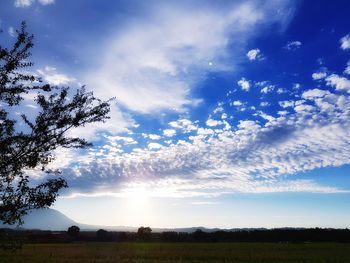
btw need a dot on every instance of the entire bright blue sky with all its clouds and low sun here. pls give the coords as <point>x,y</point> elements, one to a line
<point>226,113</point>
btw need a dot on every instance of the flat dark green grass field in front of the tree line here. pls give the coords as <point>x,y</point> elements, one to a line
<point>180,252</point>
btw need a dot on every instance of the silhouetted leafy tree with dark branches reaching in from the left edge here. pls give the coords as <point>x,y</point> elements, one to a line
<point>32,146</point>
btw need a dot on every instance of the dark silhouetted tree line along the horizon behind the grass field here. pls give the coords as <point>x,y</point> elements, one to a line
<point>145,234</point>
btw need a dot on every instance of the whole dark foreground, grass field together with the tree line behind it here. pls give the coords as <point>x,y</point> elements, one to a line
<point>256,245</point>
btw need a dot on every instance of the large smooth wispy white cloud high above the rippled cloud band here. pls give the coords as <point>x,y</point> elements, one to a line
<point>156,61</point>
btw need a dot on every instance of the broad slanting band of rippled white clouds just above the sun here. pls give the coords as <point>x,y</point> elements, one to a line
<point>250,157</point>
